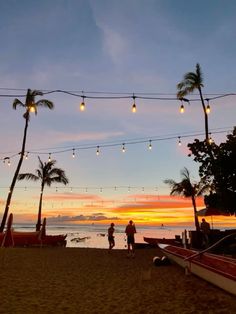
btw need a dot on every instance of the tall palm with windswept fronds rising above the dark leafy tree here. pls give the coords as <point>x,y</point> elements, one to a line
<point>194,81</point>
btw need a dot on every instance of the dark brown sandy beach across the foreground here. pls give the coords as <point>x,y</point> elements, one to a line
<point>71,280</point>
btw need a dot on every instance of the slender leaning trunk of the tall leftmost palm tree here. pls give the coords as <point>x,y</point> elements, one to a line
<point>8,202</point>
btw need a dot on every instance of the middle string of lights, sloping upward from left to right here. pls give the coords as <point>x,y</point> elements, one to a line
<point>123,143</point>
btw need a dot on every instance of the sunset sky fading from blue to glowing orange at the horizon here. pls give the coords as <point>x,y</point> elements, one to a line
<point>116,48</point>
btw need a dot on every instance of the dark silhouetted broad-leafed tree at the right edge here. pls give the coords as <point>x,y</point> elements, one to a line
<point>220,174</point>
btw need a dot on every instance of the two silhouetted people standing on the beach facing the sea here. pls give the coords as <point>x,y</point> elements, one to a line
<point>130,230</point>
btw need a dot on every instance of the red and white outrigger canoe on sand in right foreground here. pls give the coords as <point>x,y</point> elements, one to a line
<point>216,269</point>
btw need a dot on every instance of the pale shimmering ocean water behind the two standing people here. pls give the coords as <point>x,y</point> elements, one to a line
<point>95,235</point>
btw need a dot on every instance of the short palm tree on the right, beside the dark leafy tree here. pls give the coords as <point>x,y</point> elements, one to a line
<point>188,189</point>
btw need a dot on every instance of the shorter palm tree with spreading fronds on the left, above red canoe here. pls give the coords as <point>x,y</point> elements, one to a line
<point>47,174</point>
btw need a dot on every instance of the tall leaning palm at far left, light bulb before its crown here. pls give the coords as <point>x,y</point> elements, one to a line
<point>30,106</point>
